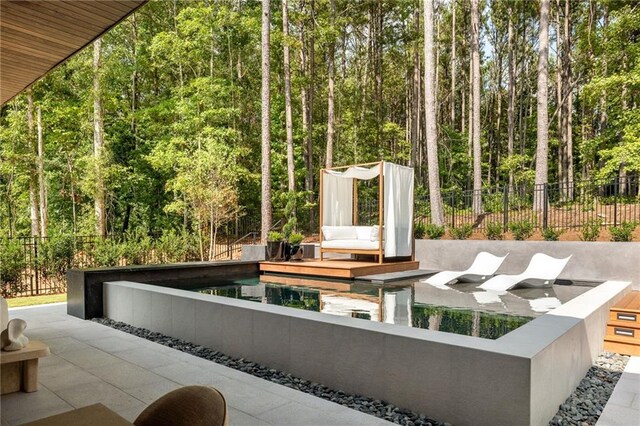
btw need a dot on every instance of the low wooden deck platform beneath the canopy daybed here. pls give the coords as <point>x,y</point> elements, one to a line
<point>343,269</point>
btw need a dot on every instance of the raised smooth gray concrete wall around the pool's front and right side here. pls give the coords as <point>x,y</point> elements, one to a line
<point>518,379</point>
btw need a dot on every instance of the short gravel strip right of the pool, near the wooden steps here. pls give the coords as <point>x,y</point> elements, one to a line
<point>585,405</point>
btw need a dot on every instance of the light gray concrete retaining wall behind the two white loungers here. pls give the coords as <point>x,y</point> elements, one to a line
<point>591,261</point>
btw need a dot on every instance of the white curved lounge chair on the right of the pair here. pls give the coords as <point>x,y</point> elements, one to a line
<point>541,272</point>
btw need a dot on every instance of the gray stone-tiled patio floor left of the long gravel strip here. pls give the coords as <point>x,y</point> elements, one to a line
<point>92,363</point>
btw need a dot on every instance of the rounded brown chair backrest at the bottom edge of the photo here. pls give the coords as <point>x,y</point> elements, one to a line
<point>189,405</point>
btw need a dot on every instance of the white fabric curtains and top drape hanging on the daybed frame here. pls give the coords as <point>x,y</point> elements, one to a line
<point>339,196</point>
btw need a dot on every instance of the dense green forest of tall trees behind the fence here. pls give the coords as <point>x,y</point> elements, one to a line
<point>160,124</point>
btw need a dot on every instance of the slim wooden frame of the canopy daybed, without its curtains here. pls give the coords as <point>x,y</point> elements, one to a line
<point>376,252</point>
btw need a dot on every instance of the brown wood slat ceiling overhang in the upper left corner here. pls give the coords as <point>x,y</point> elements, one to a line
<point>37,35</point>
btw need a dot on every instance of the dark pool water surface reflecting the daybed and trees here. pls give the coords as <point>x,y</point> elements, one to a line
<point>461,309</point>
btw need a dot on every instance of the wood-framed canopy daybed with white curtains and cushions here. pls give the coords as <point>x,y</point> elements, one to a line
<point>392,236</point>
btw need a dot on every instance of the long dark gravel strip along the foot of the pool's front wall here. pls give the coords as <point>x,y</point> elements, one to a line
<point>371,406</point>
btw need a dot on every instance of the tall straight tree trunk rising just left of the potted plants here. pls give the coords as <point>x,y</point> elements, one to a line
<point>266,119</point>
